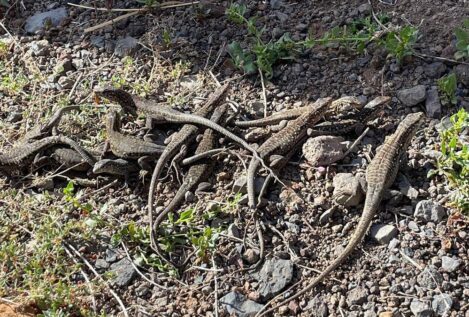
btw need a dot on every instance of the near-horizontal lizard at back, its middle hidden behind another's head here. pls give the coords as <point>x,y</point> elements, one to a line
<point>338,106</point>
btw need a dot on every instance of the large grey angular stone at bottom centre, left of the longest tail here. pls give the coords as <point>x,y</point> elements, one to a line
<point>274,276</point>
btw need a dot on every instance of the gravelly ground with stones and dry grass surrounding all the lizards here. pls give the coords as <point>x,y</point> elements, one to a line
<point>412,263</point>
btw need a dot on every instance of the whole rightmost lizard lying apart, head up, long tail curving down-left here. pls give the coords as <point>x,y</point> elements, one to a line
<point>380,175</point>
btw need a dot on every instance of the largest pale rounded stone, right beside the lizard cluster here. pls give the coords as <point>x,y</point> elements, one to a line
<point>323,150</point>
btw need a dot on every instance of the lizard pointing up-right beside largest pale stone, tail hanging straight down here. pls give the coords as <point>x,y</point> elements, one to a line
<point>282,142</point>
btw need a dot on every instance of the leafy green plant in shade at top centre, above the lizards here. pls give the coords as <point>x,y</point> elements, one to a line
<point>260,55</point>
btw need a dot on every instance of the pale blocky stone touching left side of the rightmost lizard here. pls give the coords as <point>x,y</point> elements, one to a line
<point>347,189</point>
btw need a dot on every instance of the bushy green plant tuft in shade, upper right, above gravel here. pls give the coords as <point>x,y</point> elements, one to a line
<point>401,43</point>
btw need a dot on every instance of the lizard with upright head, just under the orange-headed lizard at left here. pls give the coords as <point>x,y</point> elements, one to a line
<point>126,146</point>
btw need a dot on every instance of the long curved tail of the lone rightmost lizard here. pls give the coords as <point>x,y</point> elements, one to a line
<point>357,236</point>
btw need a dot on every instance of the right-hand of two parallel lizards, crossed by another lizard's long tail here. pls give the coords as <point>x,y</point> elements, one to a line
<point>195,174</point>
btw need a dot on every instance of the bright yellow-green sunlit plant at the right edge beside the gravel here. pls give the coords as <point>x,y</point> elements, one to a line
<point>454,160</point>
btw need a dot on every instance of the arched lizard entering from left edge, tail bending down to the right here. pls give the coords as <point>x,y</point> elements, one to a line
<point>19,154</point>
